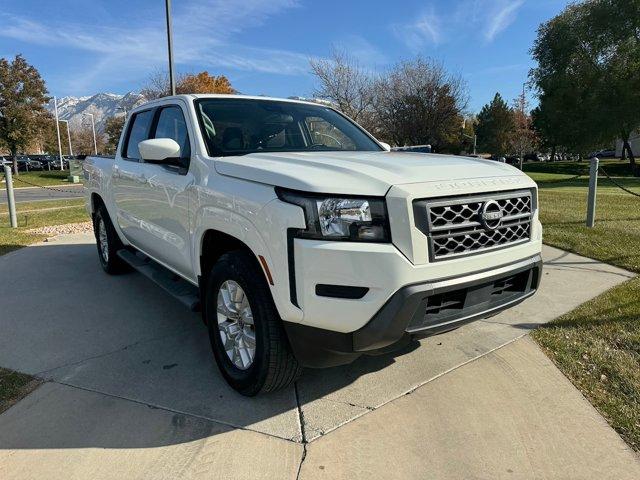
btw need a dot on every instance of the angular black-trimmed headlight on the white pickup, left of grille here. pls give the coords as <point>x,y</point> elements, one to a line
<point>335,217</point>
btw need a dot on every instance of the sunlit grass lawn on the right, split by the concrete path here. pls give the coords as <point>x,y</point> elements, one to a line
<point>597,346</point>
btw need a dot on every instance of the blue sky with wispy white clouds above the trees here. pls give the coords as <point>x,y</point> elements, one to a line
<point>83,47</point>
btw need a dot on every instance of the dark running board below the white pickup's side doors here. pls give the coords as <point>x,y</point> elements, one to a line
<point>173,284</point>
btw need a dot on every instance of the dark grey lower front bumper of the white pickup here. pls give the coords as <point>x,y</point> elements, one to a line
<point>420,309</point>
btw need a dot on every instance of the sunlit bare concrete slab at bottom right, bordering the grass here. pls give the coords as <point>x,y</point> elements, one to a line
<point>511,414</point>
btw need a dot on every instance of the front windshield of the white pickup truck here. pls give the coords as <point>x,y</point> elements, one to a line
<point>237,126</point>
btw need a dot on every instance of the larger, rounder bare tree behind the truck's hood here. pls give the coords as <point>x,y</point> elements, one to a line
<point>419,102</point>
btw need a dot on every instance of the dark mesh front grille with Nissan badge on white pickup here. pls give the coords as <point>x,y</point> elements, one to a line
<point>465,225</point>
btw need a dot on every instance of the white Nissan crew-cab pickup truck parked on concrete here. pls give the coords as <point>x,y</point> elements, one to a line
<point>302,239</point>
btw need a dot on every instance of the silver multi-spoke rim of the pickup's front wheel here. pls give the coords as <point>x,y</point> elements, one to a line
<point>235,325</point>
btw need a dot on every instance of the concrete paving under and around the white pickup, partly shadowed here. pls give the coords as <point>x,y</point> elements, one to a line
<point>133,391</point>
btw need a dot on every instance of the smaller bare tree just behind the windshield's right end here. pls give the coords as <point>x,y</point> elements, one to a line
<point>344,82</point>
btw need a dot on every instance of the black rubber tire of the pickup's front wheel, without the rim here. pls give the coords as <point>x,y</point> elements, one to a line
<point>238,267</point>
